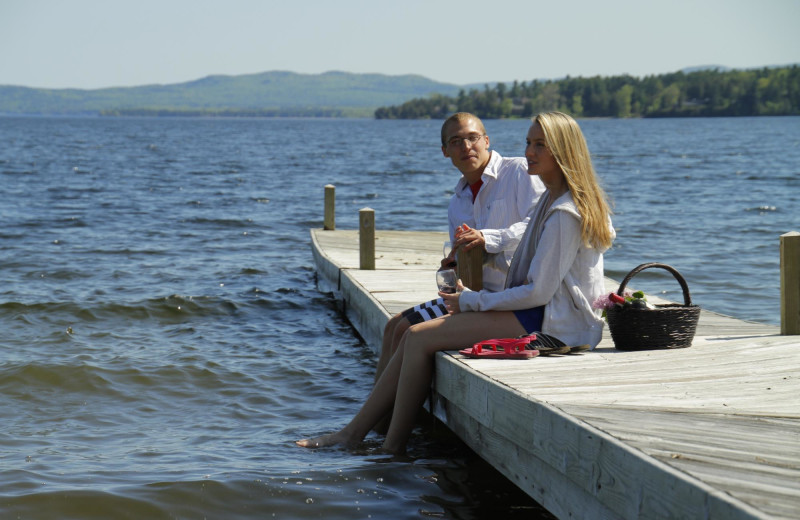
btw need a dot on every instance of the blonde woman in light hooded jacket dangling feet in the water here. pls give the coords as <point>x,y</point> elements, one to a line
<point>555,275</point>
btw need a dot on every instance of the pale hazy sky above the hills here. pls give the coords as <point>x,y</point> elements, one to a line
<point>103,43</point>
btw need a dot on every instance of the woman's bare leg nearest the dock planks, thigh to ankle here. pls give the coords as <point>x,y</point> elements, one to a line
<point>418,347</point>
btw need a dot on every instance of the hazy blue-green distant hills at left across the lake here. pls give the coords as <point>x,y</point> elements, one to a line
<point>275,93</point>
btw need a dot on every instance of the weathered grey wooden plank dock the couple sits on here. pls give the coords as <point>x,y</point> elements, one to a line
<point>712,431</point>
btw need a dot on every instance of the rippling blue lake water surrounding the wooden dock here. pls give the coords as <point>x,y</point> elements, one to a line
<point>164,341</point>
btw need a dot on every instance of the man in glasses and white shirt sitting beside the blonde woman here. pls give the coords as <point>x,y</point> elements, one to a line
<point>488,209</point>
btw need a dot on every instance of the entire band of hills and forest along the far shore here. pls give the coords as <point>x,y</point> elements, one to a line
<point>703,93</point>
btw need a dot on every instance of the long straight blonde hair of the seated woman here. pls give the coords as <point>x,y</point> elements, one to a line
<point>565,140</point>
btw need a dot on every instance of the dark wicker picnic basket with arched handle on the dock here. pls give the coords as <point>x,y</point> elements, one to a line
<point>666,326</point>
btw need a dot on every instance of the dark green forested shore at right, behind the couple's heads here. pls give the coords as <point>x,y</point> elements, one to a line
<point>767,91</point>
